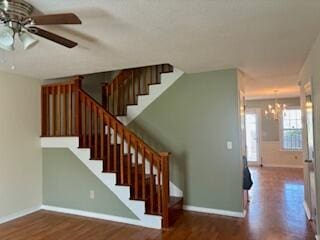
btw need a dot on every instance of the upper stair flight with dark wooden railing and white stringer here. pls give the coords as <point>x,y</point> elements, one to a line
<point>133,90</point>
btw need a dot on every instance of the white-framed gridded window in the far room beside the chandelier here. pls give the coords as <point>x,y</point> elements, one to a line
<point>291,129</point>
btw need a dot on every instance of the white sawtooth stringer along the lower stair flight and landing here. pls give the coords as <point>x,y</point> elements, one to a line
<point>108,179</point>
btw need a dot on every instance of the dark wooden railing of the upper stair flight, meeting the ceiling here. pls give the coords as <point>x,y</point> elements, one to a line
<point>125,88</point>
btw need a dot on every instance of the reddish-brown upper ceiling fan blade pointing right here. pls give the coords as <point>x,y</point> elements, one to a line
<point>54,19</point>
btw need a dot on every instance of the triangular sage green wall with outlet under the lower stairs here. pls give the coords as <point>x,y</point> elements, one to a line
<point>67,183</point>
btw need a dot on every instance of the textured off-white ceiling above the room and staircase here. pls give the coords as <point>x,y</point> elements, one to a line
<point>267,39</point>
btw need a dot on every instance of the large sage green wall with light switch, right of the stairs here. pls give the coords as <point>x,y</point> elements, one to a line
<point>194,119</point>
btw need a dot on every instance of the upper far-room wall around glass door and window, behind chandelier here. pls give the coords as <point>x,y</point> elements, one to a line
<point>269,127</point>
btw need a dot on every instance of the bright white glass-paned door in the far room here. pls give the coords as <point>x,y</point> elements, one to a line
<point>252,120</point>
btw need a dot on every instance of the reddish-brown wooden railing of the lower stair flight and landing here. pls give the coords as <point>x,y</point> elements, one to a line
<point>68,111</point>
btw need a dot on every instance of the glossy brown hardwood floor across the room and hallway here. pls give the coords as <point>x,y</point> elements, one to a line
<point>275,213</point>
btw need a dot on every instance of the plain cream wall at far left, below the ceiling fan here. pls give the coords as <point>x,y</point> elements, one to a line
<point>20,151</point>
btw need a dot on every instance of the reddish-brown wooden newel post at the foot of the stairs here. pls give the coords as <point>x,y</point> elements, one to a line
<point>165,188</point>
